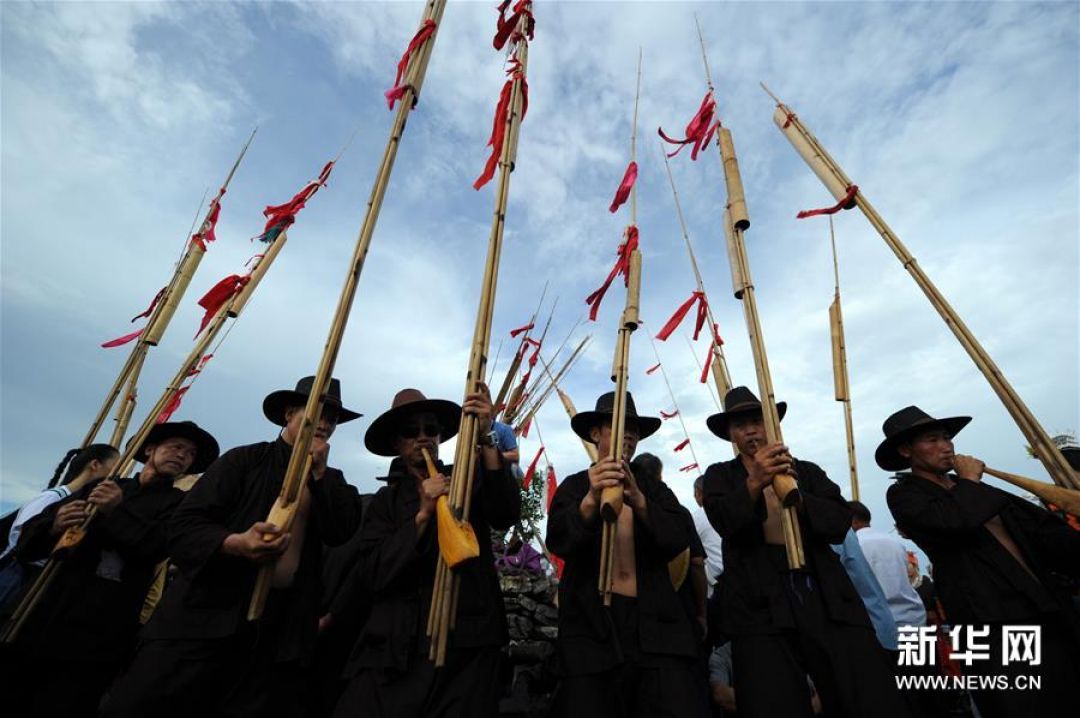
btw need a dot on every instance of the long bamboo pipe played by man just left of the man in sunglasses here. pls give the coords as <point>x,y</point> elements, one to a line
<point>300,464</point>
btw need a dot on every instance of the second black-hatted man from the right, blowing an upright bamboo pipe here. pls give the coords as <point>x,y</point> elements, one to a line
<point>788,625</point>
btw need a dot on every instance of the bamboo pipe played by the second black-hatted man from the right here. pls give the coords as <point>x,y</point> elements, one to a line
<point>785,486</point>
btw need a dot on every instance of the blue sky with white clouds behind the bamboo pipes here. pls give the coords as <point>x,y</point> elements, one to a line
<point>960,123</point>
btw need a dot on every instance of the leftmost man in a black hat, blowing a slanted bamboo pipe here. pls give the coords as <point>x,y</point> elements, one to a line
<point>85,627</point>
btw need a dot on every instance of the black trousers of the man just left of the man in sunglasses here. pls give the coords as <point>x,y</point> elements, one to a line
<point>212,679</point>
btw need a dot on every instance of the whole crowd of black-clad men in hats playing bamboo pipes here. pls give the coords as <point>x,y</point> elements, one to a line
<point>147,616</point>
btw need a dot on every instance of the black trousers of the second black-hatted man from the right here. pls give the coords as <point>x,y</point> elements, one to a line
<point>849,670</point>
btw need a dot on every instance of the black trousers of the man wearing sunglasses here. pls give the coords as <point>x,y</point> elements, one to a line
<point>467,687</point>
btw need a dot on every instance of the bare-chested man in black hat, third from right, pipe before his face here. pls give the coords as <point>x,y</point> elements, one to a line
<point>636,658</point>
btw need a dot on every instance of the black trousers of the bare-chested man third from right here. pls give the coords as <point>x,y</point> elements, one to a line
<point>643,686</point>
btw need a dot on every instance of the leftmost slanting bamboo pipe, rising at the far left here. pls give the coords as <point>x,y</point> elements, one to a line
<point>165,309</point>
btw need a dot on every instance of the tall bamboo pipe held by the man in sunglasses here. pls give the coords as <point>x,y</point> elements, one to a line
<point>447,588</point>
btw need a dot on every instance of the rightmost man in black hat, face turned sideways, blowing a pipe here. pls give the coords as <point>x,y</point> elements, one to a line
<point>1000,562</point>
